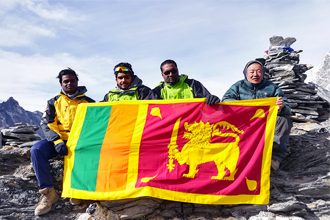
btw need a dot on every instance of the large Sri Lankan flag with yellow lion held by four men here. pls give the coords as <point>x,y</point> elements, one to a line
<point>180,150</point>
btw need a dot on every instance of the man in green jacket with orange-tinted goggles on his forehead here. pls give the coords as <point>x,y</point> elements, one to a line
<point>129,86</point>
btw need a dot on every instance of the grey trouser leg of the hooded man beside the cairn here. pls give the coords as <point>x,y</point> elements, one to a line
<point>281,137</point>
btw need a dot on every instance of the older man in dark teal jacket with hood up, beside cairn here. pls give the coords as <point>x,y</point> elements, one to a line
<point>255,86</point>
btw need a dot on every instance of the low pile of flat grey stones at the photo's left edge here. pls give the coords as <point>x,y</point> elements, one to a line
<point>22,135</point>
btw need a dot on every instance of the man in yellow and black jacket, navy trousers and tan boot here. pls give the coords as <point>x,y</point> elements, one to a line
<point>56,123</point>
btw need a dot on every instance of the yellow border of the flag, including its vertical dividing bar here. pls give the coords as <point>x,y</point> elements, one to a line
<point>132,192</point>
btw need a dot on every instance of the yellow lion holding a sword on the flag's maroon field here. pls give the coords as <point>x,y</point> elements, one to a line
<point>199,150</point>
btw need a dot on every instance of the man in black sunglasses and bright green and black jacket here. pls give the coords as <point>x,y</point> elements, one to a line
<point>177,86</point>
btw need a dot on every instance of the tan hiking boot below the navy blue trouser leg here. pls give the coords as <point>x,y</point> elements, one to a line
<point>47,199</point>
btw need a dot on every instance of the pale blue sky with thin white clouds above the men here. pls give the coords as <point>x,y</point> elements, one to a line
<point>210,40</point>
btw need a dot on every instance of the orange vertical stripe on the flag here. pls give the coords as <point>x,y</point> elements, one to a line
<point>113,164</point>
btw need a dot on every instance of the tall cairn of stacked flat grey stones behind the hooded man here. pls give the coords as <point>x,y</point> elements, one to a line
<point>283,69</point>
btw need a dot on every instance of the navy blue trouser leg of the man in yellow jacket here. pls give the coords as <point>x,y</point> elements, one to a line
<point>41,152</point>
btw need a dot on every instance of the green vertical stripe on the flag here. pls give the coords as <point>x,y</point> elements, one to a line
<point>87,151</point>
